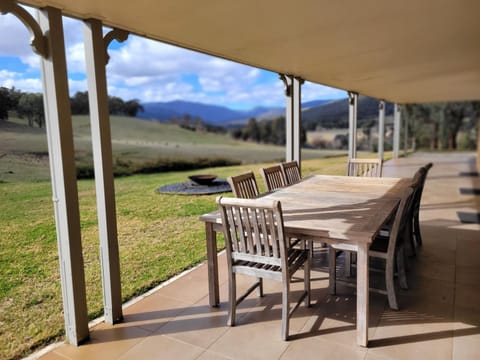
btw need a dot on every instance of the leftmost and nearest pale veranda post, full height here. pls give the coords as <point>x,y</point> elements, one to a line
<point>63,172</point>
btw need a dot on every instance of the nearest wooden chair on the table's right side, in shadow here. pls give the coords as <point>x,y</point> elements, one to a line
<point>390,248</point>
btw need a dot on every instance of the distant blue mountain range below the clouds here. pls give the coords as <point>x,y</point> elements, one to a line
<point>213,114</point>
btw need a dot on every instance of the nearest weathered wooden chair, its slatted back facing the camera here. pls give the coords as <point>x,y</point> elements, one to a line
<point>256,246</point>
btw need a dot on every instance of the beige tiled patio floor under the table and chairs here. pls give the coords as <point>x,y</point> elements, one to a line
<point>439,316</point>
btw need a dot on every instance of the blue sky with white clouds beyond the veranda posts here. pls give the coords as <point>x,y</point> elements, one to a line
<point>149,71</point>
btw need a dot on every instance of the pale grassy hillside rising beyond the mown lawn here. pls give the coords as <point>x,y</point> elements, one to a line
<point>24,151</point>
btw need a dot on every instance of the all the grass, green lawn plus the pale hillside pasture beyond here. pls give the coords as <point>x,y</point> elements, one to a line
<point>159,235</point>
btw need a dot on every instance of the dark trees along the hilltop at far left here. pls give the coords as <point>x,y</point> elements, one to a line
<point>30,105</point>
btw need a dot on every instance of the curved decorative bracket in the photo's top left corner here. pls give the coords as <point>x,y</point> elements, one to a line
<point>38,41</point>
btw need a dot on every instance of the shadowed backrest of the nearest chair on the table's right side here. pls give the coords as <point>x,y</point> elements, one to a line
<point>401,224</point>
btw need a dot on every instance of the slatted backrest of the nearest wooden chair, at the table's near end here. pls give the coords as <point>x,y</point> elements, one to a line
<point>253,230</point>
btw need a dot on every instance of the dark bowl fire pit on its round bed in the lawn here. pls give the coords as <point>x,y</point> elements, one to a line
<point>203,184</point>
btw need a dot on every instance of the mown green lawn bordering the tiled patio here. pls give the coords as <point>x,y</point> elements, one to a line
<point>159,236</point>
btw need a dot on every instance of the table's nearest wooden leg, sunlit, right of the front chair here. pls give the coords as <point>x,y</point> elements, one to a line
<point>362,294</point>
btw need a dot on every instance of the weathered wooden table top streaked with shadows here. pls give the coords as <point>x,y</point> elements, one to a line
<point>336,208</point>
